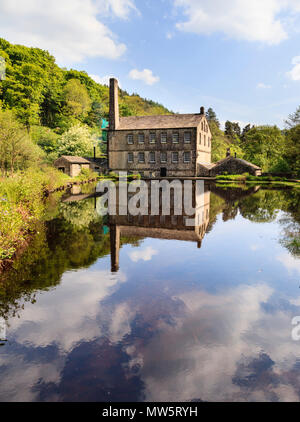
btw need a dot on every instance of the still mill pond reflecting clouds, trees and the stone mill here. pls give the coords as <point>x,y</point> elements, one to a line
<point>116,308</point>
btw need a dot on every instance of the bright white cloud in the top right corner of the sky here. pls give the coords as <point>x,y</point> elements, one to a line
<point>254,20</point>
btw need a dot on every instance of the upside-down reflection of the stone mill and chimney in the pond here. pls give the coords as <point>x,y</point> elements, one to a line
<point>170,227</point>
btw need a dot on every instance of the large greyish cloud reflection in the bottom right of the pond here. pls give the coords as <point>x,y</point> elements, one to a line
<point>199,356</point>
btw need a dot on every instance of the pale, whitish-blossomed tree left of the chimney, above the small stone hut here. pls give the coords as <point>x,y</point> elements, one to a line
<point>76,141</point>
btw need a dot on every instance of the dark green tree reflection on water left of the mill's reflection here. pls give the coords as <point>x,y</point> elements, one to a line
<point>72,240</point>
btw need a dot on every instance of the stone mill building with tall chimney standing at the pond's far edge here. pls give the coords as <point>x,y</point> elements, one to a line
<point>157,146</point>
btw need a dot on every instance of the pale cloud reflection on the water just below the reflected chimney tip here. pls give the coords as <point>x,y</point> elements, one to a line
<point>69,316</point>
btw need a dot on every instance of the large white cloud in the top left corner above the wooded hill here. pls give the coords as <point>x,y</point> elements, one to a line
<point>69,29</point>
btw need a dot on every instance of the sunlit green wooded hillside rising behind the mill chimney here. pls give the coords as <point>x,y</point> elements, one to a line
<point>43,94</point>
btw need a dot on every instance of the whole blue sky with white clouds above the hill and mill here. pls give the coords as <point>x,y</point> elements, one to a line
<point>241,58</point>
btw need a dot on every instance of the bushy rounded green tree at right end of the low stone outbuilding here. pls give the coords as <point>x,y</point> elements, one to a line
<point>264,146</point>
